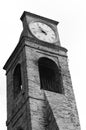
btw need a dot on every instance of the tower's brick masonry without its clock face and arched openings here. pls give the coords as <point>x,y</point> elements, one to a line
<point>35,108</point>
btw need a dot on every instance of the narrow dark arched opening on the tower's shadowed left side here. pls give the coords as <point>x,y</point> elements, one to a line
<point>17,83</point>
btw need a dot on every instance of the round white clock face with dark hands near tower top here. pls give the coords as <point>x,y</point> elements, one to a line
<point>42,31</point>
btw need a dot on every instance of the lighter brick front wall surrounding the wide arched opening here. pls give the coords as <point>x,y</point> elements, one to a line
<point>62,106</point>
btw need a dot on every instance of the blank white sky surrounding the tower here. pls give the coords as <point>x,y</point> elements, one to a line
<point>72,30</point>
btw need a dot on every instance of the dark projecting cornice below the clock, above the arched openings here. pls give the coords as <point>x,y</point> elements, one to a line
<point>32,41</point>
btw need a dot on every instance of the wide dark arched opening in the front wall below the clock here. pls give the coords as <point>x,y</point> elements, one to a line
<point>50,76</point>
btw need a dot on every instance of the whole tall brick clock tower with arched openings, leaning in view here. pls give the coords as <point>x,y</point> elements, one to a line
<point>39,89</point>
